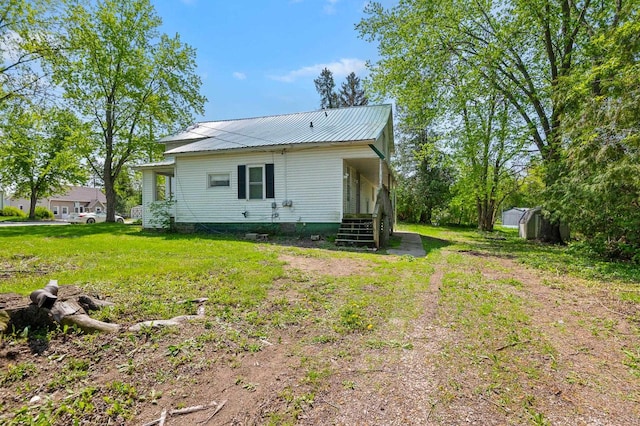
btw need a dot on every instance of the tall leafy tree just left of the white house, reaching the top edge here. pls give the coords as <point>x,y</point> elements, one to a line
<point>131,81</point>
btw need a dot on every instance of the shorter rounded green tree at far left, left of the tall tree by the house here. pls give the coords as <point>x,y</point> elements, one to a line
<point>40,153</point>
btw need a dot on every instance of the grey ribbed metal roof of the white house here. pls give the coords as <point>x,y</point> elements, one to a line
<point>363,123</point>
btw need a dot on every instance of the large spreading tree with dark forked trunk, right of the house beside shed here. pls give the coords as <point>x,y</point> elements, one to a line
<point>522,50</point>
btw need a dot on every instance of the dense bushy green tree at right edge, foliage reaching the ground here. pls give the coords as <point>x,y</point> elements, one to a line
<point>600,187</point>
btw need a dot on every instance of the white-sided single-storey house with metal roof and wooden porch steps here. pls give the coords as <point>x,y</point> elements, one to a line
<point>304,173</point>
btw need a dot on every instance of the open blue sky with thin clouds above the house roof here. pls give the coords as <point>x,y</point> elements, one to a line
<point>260,57</point>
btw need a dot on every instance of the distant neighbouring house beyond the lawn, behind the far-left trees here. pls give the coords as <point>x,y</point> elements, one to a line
<point>78,199</point>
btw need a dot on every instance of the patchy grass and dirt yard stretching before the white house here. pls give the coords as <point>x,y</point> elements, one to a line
<point>485,322</point>
